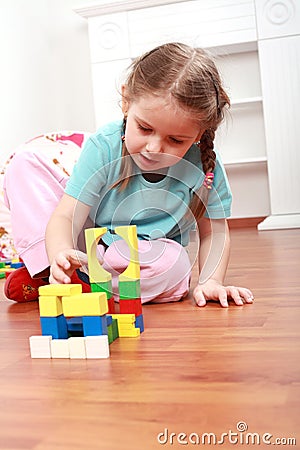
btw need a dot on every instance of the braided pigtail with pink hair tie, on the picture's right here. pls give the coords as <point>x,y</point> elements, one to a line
<point>208,159</point>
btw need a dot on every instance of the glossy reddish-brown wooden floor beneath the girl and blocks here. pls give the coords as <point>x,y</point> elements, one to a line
<point>192,371</point>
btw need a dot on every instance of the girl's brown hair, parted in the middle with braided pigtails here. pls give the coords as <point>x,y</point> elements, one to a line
<point>190,76</point>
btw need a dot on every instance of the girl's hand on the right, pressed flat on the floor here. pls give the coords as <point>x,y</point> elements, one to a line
<point>213,290</point>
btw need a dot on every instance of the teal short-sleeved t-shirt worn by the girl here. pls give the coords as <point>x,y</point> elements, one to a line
<point>157,209</point>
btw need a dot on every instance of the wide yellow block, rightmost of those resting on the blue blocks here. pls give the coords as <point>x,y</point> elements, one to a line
<point>88,304</point>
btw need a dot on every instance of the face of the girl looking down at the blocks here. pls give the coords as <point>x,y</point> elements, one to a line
<point>158,133</point>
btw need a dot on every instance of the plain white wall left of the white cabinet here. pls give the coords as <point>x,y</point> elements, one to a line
<point>45,78</point>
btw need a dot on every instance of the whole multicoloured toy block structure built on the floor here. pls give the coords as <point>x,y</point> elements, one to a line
<point>65,310</point>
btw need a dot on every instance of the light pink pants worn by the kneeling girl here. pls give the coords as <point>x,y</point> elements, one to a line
<point>33,186</point>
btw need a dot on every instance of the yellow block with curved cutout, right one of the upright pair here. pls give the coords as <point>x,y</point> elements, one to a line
<point>129,234</point>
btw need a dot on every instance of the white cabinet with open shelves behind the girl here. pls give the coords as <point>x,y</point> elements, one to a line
<point>256,45</point>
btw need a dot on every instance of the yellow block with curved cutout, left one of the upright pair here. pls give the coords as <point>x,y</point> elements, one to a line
<point>96,272</point>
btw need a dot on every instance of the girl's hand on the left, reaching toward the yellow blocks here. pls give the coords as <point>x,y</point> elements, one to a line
<point>64,264</point>
